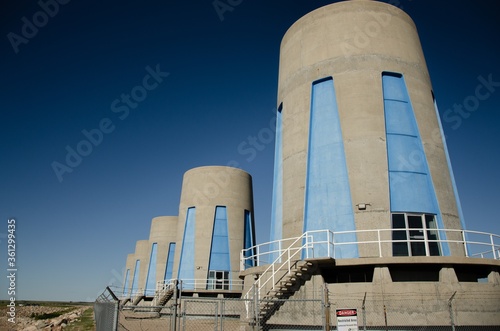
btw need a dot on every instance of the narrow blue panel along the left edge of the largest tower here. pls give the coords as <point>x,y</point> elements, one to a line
<point>277,203</point>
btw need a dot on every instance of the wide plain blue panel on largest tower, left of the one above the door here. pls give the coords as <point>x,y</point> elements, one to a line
<point>328,202</point>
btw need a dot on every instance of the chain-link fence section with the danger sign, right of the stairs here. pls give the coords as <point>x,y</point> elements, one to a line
<point>459,311</point>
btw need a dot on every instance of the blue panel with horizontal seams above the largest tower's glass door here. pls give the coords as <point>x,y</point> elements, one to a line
<point>410,183</point>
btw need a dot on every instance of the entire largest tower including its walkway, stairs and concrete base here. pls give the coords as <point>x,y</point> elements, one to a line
<point>362,167</point>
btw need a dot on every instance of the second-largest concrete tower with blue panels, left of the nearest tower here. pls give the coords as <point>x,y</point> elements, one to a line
<point>215,224</point>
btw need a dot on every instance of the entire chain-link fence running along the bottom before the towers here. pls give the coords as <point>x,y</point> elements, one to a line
<point>315,309</point>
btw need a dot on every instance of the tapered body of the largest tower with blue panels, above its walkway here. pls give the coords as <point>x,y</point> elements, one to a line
<point>359,143</point>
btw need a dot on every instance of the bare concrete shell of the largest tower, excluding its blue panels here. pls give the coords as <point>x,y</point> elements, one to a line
<point>354,42</point>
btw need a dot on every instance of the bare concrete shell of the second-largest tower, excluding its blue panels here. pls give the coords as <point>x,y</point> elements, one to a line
<point>205,188</point>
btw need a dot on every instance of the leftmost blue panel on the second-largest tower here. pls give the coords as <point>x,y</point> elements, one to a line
<point>186,263</point>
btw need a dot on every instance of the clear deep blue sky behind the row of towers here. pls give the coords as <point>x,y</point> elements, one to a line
<point>69,75</point>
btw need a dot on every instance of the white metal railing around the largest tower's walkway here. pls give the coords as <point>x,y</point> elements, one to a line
<point>326,243</point>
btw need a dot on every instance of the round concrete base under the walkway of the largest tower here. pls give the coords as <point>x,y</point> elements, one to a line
<point>421,303</point>
